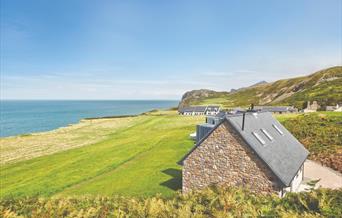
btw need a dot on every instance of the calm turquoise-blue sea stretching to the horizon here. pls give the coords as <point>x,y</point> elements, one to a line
<point>19,117</point>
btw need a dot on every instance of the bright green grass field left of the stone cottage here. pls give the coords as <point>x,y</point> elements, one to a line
<point>142,157</point>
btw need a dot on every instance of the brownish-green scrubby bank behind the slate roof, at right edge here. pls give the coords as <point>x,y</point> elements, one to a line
<point>321,133</point>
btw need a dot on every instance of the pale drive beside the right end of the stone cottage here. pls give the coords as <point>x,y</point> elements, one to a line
<point>328,177</point>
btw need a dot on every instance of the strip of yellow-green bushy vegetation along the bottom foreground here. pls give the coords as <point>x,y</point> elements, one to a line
<point>214,202</point>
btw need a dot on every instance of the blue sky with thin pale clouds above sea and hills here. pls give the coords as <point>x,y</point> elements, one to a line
<point>69,49</point>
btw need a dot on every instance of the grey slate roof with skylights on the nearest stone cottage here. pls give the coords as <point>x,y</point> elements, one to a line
<point>284,155</point>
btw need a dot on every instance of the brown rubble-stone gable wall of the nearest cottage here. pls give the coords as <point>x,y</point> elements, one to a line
<point>224,159</point>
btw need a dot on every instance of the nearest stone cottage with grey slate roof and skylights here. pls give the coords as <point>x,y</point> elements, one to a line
<point>251,150</point>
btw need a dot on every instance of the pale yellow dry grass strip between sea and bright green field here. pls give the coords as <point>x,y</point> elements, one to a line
<point>87,132</point>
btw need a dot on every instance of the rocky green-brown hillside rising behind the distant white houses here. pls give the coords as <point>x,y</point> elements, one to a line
<point>324,86</point>
